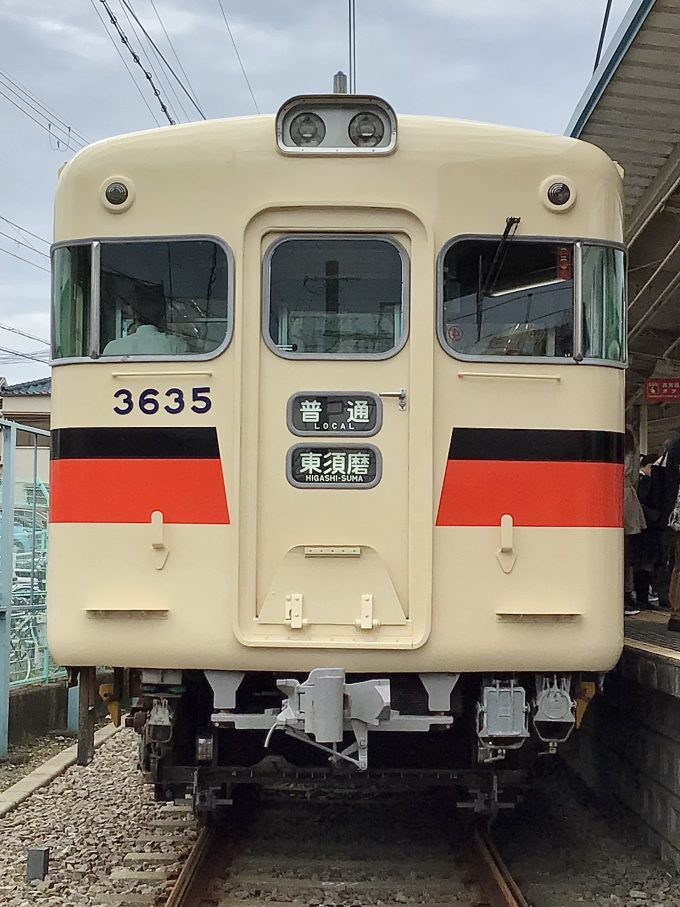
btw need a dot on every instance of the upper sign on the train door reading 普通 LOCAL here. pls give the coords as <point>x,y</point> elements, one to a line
<point>354,413</point>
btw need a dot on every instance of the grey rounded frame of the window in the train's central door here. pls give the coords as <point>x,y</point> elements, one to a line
<point>342,236</point>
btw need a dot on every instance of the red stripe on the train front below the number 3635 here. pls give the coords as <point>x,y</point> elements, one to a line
<point>129,490</point>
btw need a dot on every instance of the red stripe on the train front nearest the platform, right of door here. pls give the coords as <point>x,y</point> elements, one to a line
<point>534,493</point>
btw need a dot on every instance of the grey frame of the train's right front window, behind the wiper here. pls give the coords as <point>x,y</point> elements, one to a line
<point>578,315</point>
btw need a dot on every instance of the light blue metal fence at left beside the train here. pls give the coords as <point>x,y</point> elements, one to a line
<point>24,502</point>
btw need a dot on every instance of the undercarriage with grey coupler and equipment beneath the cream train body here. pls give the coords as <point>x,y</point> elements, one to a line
<point>202,733</point>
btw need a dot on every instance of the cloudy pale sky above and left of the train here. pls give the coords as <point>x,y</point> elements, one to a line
<point>517,62</point>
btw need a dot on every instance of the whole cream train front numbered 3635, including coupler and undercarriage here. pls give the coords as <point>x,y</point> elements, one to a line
<point>337,441</point>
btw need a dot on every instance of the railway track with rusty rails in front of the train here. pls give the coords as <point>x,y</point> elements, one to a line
<point>331,853</point>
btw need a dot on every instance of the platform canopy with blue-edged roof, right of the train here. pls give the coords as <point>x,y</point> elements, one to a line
<point>631,109</point>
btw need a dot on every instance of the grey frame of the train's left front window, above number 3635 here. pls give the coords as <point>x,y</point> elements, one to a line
<point>95,244</point>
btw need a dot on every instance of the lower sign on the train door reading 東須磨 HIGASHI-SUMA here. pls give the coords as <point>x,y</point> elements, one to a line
<point>314,466</point>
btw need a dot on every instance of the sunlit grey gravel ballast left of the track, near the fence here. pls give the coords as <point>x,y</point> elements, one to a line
<point>91,818</point>
